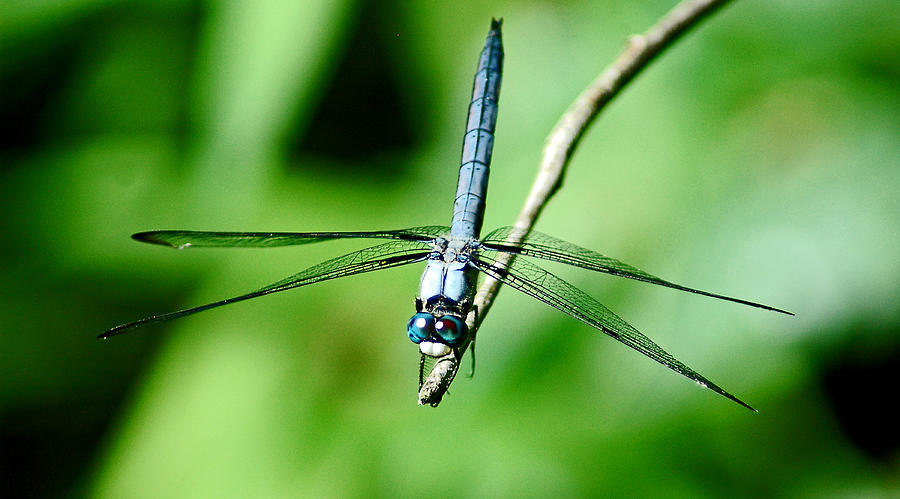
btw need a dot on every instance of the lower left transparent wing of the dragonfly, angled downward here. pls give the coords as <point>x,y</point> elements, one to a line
<point>382,256</point>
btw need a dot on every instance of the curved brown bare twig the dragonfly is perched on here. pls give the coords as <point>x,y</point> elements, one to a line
<point>560,146</point>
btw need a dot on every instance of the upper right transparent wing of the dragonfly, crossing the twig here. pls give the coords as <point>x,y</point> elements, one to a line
<point>540,245</point>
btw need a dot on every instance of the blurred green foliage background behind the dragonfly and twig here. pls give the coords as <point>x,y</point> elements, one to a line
<point>757,158</point>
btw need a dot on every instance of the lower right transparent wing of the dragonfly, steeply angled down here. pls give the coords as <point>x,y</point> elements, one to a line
<point>546,287</point>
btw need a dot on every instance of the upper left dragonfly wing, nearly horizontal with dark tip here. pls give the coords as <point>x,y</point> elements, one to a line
<point>181,239</point>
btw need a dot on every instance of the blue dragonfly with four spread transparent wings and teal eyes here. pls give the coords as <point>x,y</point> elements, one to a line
<point>455,256</point>
